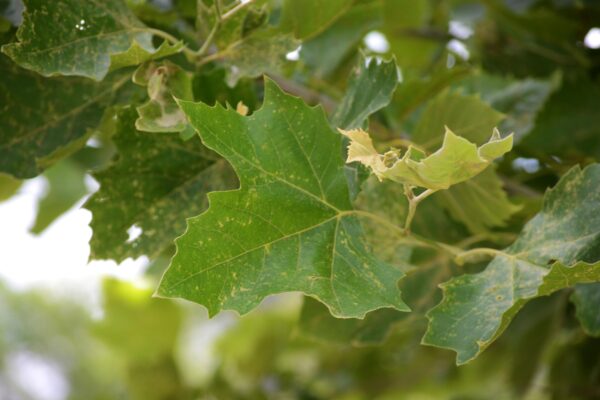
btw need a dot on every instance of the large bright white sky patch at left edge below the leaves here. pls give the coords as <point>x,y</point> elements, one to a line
<point>56,260</point>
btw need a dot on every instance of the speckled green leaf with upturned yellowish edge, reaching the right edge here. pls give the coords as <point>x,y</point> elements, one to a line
<point>558,248</point>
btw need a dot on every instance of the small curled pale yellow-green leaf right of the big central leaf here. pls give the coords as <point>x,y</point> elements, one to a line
<point>456,161</point>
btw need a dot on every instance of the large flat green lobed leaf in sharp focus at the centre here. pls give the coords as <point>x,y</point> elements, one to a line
<point>251,242</point>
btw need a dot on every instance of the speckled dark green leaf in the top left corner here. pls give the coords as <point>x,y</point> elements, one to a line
<point>72,37</point>
